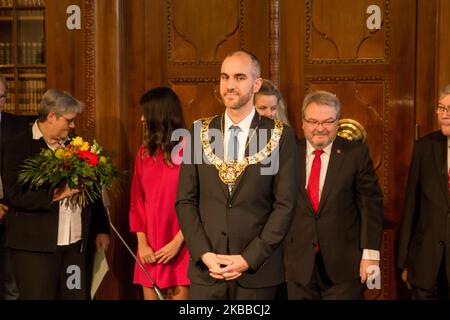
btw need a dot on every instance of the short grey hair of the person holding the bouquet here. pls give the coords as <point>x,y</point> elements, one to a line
<point>59,102</point>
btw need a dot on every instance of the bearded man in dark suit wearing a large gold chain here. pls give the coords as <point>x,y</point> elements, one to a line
<point>235,210</point>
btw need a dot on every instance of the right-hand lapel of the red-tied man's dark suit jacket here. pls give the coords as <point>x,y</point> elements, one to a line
<point>334,165</point>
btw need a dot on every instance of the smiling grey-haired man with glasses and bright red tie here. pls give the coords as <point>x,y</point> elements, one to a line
<point>336,232</point>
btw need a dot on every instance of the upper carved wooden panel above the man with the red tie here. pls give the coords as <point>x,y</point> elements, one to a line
<point>338,32</point>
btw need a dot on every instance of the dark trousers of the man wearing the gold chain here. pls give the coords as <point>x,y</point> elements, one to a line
<point>230,290</point>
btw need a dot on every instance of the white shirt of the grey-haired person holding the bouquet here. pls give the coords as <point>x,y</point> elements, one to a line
<point>69,221</point>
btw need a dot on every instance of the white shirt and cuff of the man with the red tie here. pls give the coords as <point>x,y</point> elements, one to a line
<point>368,254</point>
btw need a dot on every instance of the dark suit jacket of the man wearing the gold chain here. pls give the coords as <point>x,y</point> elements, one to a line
<point>252,222</point>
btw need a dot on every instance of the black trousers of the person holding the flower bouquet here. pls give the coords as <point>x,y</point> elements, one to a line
<point>51,276</point>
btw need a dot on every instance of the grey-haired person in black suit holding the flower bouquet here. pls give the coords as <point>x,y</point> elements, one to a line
<point>49,238</point>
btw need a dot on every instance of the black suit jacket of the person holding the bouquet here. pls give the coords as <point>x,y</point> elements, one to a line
<point>32,221</point>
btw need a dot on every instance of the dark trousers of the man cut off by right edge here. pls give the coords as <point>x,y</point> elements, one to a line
<point>440,289</point>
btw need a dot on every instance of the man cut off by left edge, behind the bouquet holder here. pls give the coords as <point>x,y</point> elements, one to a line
<point>10,125</point>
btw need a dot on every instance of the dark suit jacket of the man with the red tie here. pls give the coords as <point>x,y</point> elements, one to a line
<point>349,218</point>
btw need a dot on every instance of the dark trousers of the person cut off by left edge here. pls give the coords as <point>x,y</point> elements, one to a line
<point>8,288</point>
